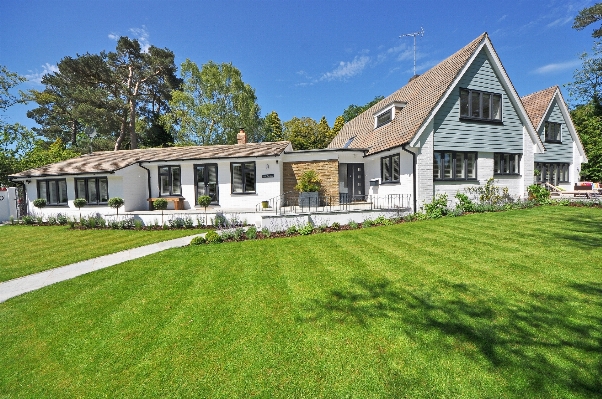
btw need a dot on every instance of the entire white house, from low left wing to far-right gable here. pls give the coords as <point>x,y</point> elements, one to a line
<point>456,126</point>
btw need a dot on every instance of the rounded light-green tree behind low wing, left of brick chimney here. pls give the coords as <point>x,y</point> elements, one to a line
<point>213,104</point>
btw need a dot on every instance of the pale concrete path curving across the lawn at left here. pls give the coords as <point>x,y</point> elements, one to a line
<point>21,285</point>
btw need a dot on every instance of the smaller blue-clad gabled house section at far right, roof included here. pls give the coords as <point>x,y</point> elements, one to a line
<point>561,163</point>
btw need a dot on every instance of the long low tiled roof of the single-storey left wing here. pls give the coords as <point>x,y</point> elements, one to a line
<point>110,161</point>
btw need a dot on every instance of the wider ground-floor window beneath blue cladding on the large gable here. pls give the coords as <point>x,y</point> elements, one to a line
<point>450,165</point>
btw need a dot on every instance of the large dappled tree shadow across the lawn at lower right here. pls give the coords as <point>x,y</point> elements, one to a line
<point>551,342</point>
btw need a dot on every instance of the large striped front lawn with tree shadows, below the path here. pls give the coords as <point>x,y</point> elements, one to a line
<point>490,305</point>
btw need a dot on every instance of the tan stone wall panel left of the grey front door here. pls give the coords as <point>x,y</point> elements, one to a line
<point>328,171</point>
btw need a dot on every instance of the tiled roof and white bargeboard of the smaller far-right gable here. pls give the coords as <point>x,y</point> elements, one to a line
<point>538,105</point>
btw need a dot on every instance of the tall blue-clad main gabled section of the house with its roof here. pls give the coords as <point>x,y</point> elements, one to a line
<point>456,126</point>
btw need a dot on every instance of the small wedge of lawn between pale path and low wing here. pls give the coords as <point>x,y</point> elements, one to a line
<point>32,249</point>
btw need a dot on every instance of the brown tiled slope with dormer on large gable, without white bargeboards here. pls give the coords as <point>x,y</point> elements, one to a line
<point>421,95</point>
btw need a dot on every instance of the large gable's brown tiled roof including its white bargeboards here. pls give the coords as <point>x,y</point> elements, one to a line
<point>422,96</point>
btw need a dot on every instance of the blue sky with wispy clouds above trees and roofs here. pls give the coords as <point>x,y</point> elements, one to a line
<point>304,58</point>
